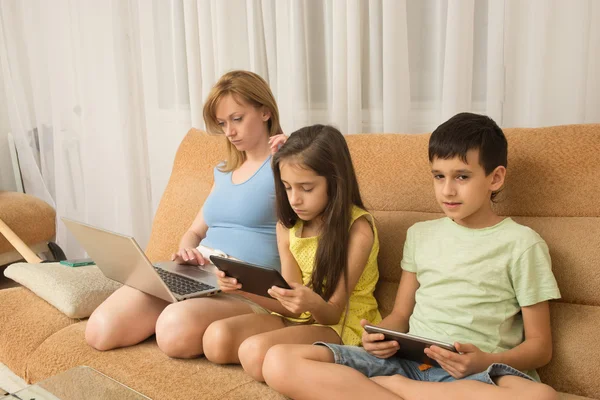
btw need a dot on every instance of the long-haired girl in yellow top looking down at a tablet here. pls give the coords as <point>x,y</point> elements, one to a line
<point>328,247</point>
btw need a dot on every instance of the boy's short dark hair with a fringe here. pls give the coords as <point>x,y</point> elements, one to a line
<point>468,131</point>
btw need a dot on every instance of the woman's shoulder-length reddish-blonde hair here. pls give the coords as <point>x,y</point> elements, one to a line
<point>244,86</point>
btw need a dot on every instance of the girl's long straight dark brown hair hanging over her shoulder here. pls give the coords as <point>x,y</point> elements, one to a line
<point>323,149</point>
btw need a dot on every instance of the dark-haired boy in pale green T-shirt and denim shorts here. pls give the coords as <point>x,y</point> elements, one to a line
<point>473,278</point>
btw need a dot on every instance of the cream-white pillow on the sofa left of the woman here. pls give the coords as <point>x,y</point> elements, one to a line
<point>75,291</point>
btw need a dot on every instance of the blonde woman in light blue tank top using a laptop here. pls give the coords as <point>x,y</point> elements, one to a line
<point>237,218</point>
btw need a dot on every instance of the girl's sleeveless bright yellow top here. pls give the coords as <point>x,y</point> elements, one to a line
<point>362,303</point>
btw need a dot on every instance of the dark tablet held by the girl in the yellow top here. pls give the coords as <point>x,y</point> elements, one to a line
<point>254,278</point>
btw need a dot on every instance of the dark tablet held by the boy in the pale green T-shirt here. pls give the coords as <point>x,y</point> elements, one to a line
<point>411,346</point>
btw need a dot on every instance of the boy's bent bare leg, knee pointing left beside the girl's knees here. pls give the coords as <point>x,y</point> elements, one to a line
<point>309,372</point>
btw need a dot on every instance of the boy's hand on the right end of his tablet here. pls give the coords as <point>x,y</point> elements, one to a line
<point>469,362</point>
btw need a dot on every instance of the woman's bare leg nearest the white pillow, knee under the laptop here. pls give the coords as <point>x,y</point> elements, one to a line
<point>125,318</point>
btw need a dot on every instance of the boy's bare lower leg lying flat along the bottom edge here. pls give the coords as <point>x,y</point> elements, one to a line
<point>509,387</point>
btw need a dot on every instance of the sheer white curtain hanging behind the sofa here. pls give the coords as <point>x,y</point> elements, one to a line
<point>101,93</point>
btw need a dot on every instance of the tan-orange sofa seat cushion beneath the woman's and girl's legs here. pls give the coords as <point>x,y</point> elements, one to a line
<point>145,368</point>
